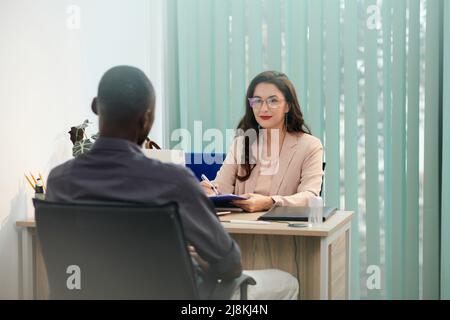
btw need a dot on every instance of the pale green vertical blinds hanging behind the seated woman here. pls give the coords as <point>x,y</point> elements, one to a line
<point>368,74</point>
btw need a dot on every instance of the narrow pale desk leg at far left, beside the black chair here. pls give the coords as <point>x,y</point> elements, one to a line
<point>27,264</point>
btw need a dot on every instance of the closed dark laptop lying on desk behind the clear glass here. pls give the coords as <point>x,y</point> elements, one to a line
<point>294,213</point>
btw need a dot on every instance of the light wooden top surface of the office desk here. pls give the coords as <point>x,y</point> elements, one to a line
<point>339,219</point>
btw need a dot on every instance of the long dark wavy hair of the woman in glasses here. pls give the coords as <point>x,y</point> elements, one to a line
<point>294,122</point>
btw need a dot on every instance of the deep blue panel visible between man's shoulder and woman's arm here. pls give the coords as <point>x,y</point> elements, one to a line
<point>204,163</point>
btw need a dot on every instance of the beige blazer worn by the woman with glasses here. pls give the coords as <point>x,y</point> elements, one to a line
<point>298,178</point>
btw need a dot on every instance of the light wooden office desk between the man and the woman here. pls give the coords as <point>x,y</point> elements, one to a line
<point>319,257</point>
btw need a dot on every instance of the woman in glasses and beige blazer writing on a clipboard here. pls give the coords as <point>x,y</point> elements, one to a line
<point>281,163</point>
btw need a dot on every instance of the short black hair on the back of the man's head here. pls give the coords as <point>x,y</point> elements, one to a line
<point>124,93</point>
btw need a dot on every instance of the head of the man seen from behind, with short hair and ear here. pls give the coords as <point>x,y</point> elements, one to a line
<point>125,104</point>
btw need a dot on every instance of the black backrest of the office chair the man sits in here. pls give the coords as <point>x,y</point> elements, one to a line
<point>114,252</point>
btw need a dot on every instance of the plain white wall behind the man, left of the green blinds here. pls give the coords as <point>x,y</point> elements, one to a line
<point>49,71</point>
